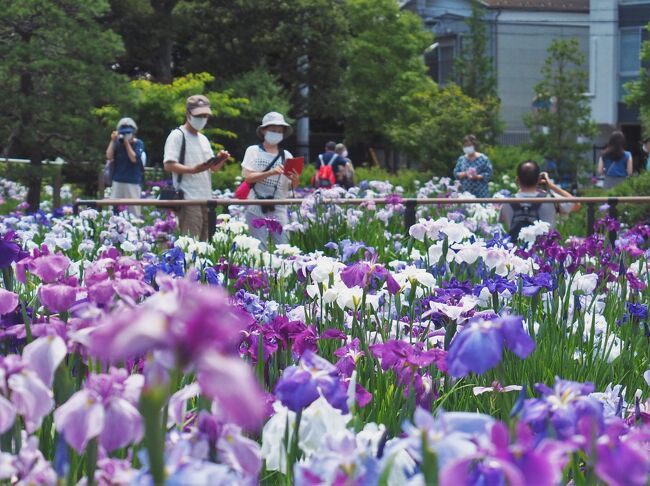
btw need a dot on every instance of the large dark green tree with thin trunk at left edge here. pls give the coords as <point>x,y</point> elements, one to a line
<point>55,68</point>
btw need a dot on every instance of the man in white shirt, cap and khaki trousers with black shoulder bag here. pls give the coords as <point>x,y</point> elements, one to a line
<point>191,169</point>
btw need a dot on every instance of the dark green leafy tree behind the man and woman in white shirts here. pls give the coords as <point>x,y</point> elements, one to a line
<point>297,41</point>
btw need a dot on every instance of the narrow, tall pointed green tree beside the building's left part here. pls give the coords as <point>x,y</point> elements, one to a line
<point>474,69</point>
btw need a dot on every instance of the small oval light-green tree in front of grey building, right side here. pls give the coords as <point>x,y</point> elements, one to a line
<point>562,122</point>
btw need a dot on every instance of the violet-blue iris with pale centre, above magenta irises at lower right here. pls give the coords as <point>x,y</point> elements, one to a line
<point>561,408</point>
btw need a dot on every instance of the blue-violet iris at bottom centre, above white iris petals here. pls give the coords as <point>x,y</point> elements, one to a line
<point>300,385</point>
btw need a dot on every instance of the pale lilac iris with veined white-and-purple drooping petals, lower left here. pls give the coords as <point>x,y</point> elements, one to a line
<point>105,401</point>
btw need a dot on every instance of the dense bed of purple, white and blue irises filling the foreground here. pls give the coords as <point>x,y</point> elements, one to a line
<point>357,354</point>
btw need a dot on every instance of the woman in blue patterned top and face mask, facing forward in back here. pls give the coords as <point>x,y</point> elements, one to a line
<point>473,169</point>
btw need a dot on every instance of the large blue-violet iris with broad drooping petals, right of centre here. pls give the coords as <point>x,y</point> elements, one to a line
<point>479,346</point>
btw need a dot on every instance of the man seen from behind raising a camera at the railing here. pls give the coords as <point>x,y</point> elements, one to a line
<point>533,183</point>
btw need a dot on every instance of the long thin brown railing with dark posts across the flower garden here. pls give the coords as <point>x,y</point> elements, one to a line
<point>410,204</point>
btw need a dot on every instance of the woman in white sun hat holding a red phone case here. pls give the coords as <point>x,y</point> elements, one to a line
<point>263,169</point>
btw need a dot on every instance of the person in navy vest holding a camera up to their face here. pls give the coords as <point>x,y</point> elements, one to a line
<point>127,157</point>
